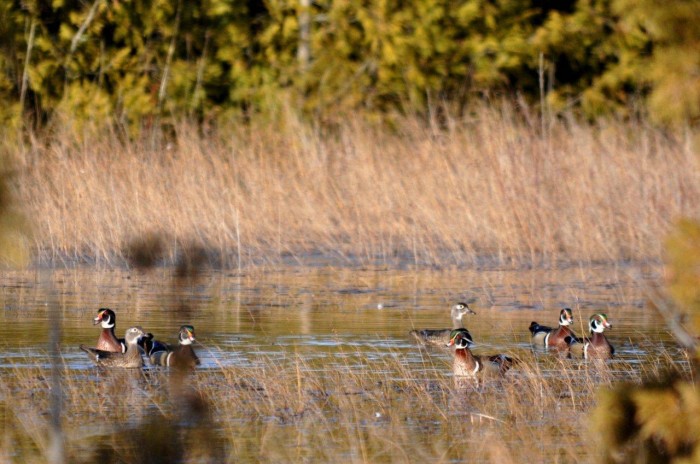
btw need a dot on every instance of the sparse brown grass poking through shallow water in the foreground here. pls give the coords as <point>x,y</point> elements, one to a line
<point>293,411</point>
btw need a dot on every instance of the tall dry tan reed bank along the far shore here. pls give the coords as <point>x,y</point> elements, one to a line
<point>491,185</point>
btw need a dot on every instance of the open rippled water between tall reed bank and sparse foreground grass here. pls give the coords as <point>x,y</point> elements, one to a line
<point>327,317</point>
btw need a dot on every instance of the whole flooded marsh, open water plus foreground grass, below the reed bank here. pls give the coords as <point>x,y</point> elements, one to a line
<point>316,363</point>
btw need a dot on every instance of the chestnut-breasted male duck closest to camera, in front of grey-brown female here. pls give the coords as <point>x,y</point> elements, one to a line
<point>467,365</point>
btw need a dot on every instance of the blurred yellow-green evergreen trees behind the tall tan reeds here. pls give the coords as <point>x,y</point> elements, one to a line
<point>154,62</point>
